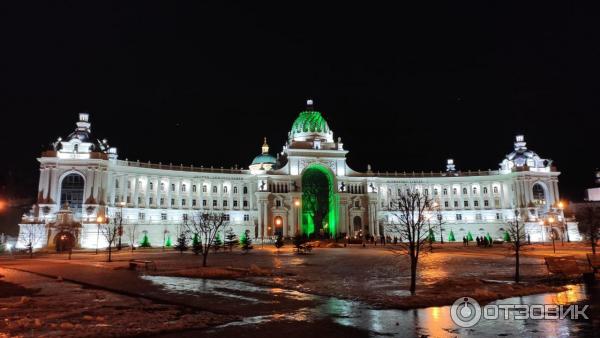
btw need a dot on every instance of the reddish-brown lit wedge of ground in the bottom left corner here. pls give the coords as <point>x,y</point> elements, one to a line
<point>35,306</point>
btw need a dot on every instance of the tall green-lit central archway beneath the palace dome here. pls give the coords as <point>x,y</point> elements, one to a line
<point>319,201</point>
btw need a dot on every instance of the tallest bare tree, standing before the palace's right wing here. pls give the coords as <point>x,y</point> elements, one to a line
<point>411,212</point>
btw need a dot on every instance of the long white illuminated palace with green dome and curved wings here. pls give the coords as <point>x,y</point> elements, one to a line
<point>308,188</point>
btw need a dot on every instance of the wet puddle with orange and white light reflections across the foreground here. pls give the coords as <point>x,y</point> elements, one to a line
<point>431,321</point>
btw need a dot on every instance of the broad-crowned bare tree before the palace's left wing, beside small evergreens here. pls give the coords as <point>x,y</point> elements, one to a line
<point>207,226</point>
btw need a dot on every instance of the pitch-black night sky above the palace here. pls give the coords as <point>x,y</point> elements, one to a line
<point>405,87</point>
